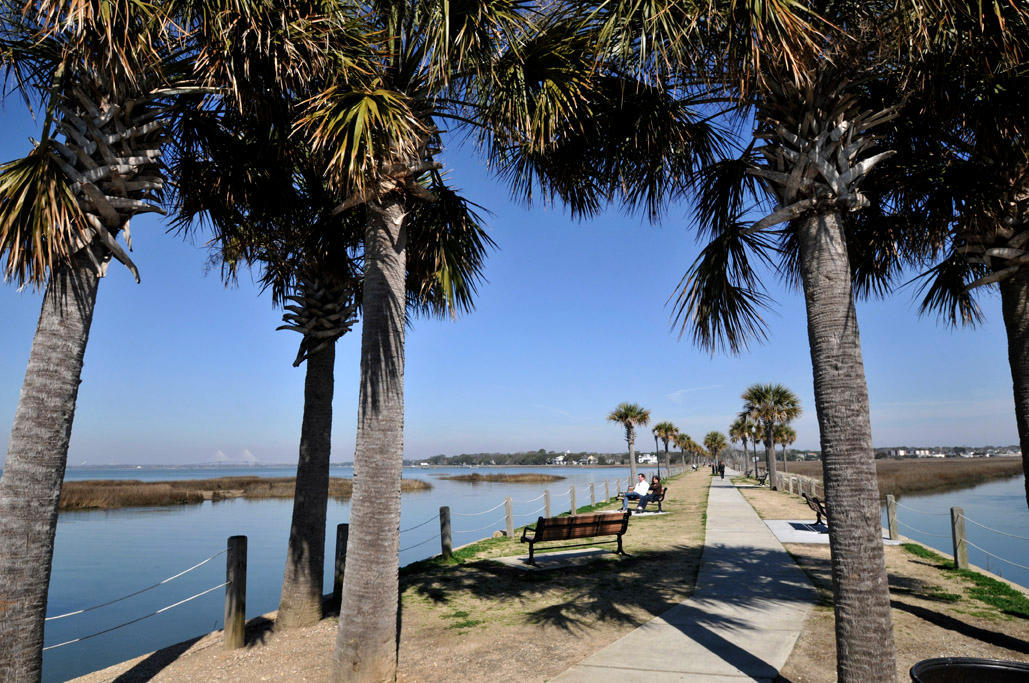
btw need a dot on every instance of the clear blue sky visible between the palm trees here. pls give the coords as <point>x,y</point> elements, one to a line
<point>573,321</point>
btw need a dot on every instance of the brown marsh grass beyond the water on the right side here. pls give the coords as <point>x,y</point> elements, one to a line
<point>907,477</point>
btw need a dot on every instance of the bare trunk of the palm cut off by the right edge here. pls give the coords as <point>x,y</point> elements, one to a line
<point>1015,304</point>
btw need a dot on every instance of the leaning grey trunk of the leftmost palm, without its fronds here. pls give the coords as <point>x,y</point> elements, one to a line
<point>38,454</point>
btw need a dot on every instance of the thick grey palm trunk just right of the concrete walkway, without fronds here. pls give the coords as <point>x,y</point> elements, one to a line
<point>864,623</point>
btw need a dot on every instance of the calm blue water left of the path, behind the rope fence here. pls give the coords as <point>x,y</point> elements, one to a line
<point>100,556</point>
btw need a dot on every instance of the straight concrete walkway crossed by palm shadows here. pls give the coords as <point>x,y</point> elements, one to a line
<point>744,618</point>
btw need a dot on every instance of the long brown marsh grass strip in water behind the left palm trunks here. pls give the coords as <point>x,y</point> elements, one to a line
<point>111,494</point>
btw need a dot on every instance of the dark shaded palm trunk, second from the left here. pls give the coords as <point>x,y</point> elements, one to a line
<point>302,584</point>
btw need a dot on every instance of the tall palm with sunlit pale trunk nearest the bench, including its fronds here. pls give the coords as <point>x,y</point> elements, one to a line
<point>525,91</point>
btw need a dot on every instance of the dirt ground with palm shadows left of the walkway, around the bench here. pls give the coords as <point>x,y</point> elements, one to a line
<point>476,619</point>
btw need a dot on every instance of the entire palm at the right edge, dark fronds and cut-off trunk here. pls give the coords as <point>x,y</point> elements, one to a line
<point>979,125</point>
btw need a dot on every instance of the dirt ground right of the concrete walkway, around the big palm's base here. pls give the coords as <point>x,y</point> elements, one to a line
<point>934,614</point>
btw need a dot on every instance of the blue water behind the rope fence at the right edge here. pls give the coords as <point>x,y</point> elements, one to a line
<point>1001,506</point>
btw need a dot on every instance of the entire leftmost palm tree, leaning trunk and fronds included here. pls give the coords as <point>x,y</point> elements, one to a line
<point>101,77</point>
